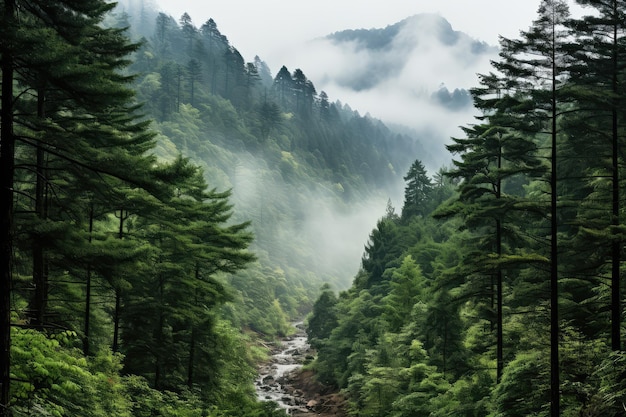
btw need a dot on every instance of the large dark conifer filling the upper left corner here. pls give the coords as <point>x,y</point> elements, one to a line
<point>80,119</point>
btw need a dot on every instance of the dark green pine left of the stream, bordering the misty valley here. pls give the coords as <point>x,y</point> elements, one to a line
<point>171,306</point>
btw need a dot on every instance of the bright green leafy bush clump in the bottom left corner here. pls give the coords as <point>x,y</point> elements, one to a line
<point>57,380</point>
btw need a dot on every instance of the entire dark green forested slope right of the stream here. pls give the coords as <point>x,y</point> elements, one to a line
<point>507,299</point>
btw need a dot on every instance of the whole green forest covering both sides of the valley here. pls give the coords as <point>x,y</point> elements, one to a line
<point>159,228</point>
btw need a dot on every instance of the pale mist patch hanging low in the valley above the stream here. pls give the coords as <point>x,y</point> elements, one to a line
<point>315,230</point>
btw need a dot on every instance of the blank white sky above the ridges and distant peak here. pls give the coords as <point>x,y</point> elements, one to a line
<point>264,27</point>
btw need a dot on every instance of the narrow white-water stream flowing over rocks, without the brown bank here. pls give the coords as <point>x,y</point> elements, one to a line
<point>289,356</point>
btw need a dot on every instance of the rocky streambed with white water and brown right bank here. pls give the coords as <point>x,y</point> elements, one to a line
<point>283,381</point>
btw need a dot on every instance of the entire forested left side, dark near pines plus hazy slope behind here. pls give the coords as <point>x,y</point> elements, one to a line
<point>132,277</point>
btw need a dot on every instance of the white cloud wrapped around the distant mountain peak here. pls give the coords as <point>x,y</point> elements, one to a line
<point>417,74</point>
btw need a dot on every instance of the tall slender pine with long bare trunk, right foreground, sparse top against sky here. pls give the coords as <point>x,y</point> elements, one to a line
<point>538,61</point>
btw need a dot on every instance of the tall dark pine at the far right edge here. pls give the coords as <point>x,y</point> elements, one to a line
<point>597,129</point>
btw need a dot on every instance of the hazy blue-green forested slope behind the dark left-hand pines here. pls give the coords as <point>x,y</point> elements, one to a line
<point>310,173</point>
